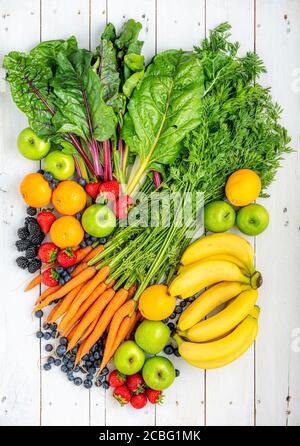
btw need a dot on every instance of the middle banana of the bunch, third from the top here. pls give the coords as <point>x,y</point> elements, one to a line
<point>208,301</point>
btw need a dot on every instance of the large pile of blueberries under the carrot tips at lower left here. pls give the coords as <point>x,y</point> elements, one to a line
<point>83,374</point>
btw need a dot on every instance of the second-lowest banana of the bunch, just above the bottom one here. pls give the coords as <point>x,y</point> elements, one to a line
<point>225,320</point>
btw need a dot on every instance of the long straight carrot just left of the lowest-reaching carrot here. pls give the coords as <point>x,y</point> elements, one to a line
<point>118,300</point>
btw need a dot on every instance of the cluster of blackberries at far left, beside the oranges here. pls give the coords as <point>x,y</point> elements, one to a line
<point>30,238</point>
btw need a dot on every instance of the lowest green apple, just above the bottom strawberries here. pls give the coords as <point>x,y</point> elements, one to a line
<point>158,372</point>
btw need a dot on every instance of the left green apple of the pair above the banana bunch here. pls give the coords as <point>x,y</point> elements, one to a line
<point>219,216</point>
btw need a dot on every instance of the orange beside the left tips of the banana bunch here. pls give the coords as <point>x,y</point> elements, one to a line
<point>156,304</point>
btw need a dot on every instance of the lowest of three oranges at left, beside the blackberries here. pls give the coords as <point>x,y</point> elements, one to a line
<point>66,231</point>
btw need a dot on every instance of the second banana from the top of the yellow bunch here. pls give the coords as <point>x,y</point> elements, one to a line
<point>204,274</point>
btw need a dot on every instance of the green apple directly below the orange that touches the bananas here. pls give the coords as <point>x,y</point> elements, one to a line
<point>152,336</point>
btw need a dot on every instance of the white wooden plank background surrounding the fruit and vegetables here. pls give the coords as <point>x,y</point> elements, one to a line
<point>263,387</point>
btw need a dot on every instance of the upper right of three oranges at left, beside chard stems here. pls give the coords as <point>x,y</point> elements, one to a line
<point>69,198</point>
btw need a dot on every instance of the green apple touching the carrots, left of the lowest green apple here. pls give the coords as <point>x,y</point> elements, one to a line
<point>129,358</point>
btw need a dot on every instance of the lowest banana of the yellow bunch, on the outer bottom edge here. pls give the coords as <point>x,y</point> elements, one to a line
<point>231,346</point>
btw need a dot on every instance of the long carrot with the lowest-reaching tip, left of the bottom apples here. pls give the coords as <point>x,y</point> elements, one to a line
<point>117,319</point>
